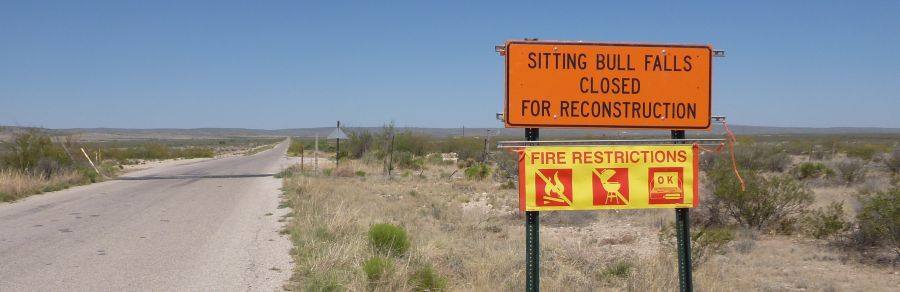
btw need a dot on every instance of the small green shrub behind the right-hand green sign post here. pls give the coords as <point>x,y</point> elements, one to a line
<point>705,242</point>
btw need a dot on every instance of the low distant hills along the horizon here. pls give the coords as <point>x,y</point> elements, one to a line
<point>207,133</point>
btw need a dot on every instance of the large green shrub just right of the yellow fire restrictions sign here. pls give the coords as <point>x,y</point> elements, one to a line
<point>765,200</point>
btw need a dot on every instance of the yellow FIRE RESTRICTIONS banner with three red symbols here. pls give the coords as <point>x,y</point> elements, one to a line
<point>608,177</point>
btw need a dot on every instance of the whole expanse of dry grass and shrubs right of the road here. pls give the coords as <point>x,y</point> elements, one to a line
<point>806,221</point>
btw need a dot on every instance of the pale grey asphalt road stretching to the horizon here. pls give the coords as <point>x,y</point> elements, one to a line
<point>202,226</point>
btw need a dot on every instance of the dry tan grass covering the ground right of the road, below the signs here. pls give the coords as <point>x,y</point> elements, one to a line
<point>471,233</point>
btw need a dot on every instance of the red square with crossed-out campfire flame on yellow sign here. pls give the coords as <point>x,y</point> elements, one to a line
<point>553,187</point>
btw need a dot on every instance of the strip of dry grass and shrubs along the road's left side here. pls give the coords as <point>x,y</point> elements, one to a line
<point>33,162</point>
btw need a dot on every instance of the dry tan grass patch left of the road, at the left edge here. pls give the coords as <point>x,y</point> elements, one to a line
<point>15,185</point>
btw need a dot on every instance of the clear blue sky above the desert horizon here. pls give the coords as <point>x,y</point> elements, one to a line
<point>297,64</point>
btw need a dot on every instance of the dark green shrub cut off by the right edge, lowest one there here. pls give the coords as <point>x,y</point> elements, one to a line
<point>879,218</point>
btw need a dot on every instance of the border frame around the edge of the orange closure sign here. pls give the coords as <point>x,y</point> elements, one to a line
<point>511,44</point>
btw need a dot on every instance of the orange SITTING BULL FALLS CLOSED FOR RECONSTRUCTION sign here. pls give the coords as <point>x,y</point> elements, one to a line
<point>608,85</point>
